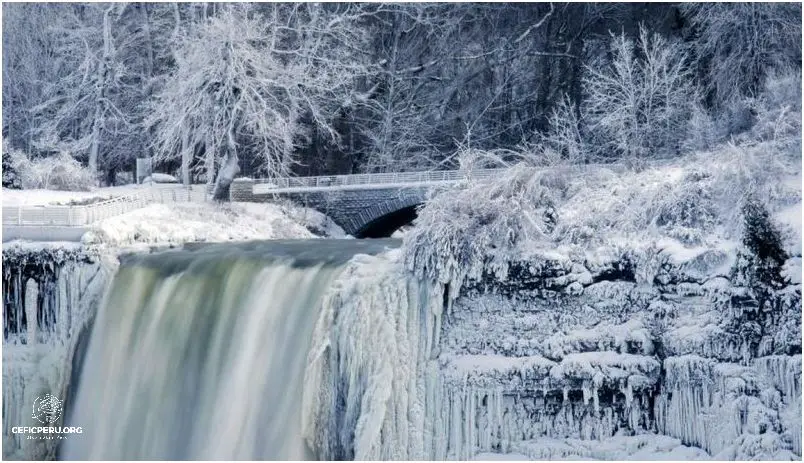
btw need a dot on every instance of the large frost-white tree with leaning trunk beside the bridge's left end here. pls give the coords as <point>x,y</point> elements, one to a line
<point>243,81</point>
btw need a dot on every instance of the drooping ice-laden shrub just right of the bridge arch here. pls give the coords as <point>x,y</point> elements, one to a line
<point>461,234</point>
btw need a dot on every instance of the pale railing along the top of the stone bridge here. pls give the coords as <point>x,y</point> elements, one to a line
<point>375,179</point>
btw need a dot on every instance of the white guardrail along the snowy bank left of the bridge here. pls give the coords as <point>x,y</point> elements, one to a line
<point>85,214</point>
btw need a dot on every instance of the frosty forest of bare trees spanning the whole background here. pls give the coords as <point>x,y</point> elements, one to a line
<point>213,91</point>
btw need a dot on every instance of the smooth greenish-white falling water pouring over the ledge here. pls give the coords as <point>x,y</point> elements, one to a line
<point>200,353</point>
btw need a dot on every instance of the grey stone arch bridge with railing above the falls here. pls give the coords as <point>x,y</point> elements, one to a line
<point>364,205</point>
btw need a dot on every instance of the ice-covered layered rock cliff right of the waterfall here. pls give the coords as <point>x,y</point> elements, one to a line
<point>489,373</point>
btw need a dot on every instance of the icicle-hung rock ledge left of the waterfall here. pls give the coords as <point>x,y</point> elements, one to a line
<point>50,295</point>
